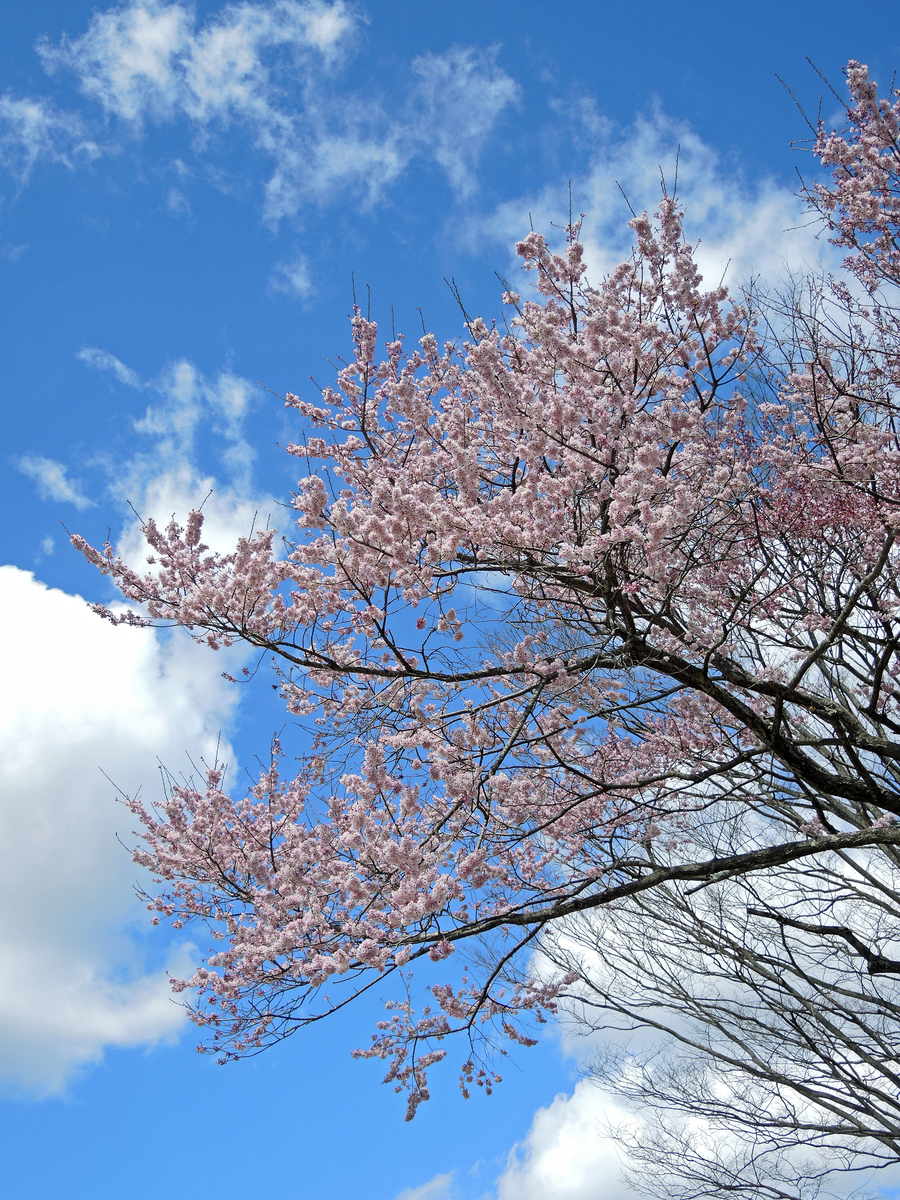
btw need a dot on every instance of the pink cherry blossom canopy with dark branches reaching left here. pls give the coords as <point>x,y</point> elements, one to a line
<point>617,572</point>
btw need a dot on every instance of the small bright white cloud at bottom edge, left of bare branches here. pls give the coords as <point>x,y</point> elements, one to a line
<point>568,1154</point>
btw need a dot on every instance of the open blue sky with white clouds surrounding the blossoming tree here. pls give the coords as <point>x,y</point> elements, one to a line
<point>187,195</point>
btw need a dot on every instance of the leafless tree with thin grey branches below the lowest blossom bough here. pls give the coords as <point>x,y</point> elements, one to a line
<point>755,1023</point>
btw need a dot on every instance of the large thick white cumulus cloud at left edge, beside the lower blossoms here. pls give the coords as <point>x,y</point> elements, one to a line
<point>82,699</point>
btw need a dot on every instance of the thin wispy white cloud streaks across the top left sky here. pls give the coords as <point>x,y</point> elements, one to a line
<point>274,71</point>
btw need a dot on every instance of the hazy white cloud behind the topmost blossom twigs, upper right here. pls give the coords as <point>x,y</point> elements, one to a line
<point>743,230</point>
